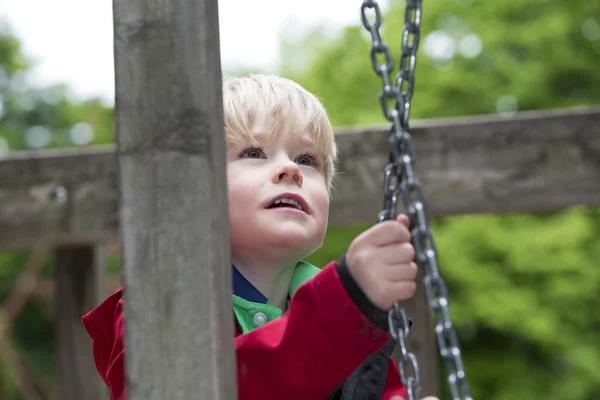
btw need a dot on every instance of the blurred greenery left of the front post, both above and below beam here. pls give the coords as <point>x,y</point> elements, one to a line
<point>33,118</point>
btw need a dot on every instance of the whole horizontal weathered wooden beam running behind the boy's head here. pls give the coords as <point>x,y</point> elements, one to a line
<point>533,161</point>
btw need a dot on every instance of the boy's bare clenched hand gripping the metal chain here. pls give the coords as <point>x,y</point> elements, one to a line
<point>381,262</point>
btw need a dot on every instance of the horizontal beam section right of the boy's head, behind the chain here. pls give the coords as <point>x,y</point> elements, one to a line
<point>541,161</point>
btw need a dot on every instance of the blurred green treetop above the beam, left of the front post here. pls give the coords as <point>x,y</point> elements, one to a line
<point>35,118</point>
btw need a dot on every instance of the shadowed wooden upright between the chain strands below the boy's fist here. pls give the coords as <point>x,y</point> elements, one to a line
<point>421,340</point>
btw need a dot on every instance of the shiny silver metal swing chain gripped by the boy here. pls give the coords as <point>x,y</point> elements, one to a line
<point>400,179</point>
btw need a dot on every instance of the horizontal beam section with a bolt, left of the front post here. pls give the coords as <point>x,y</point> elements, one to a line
<point>58,198</point>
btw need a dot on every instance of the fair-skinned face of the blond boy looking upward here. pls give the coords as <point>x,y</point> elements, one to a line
<point>256,176</point>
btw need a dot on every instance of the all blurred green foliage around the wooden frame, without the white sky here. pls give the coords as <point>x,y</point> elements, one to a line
<point>523,287</point>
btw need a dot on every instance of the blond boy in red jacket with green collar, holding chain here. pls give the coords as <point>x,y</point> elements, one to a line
<point>301,333</point>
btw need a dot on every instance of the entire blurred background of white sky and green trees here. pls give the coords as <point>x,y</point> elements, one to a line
<point>524,289</point>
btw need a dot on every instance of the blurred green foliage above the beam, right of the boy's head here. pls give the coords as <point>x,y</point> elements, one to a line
<point>533,51</point>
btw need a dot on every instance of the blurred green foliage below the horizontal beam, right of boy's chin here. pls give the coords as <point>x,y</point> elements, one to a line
<point>523,289</point>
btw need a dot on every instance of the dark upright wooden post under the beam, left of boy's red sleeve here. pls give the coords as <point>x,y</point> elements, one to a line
<point>79,288</point>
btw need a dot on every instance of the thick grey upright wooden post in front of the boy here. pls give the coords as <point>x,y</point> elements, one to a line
<point>174,219</point>
